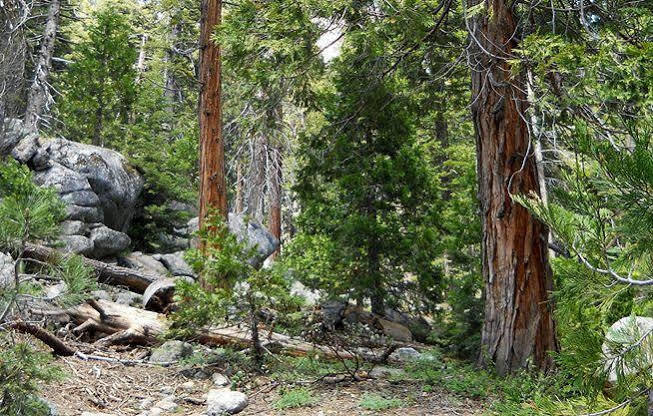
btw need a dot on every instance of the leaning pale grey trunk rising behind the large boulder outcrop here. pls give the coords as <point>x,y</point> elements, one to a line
<point>39,94</point>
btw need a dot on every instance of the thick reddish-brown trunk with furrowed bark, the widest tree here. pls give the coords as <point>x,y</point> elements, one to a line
<point>518,323</point>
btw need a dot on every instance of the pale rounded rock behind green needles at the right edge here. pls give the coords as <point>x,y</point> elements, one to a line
<point>624,333</point>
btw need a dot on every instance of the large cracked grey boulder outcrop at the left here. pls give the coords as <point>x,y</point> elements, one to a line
<point>98,186</point>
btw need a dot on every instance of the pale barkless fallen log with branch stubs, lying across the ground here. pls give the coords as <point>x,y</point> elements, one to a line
<point>126,324</point>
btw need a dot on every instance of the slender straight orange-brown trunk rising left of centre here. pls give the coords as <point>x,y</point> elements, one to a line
<point>213,190</point>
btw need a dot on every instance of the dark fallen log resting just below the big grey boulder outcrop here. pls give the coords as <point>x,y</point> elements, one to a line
<point>135,280</point>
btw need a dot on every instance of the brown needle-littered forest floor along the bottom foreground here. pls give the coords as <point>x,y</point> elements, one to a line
<point>114,388</point>
